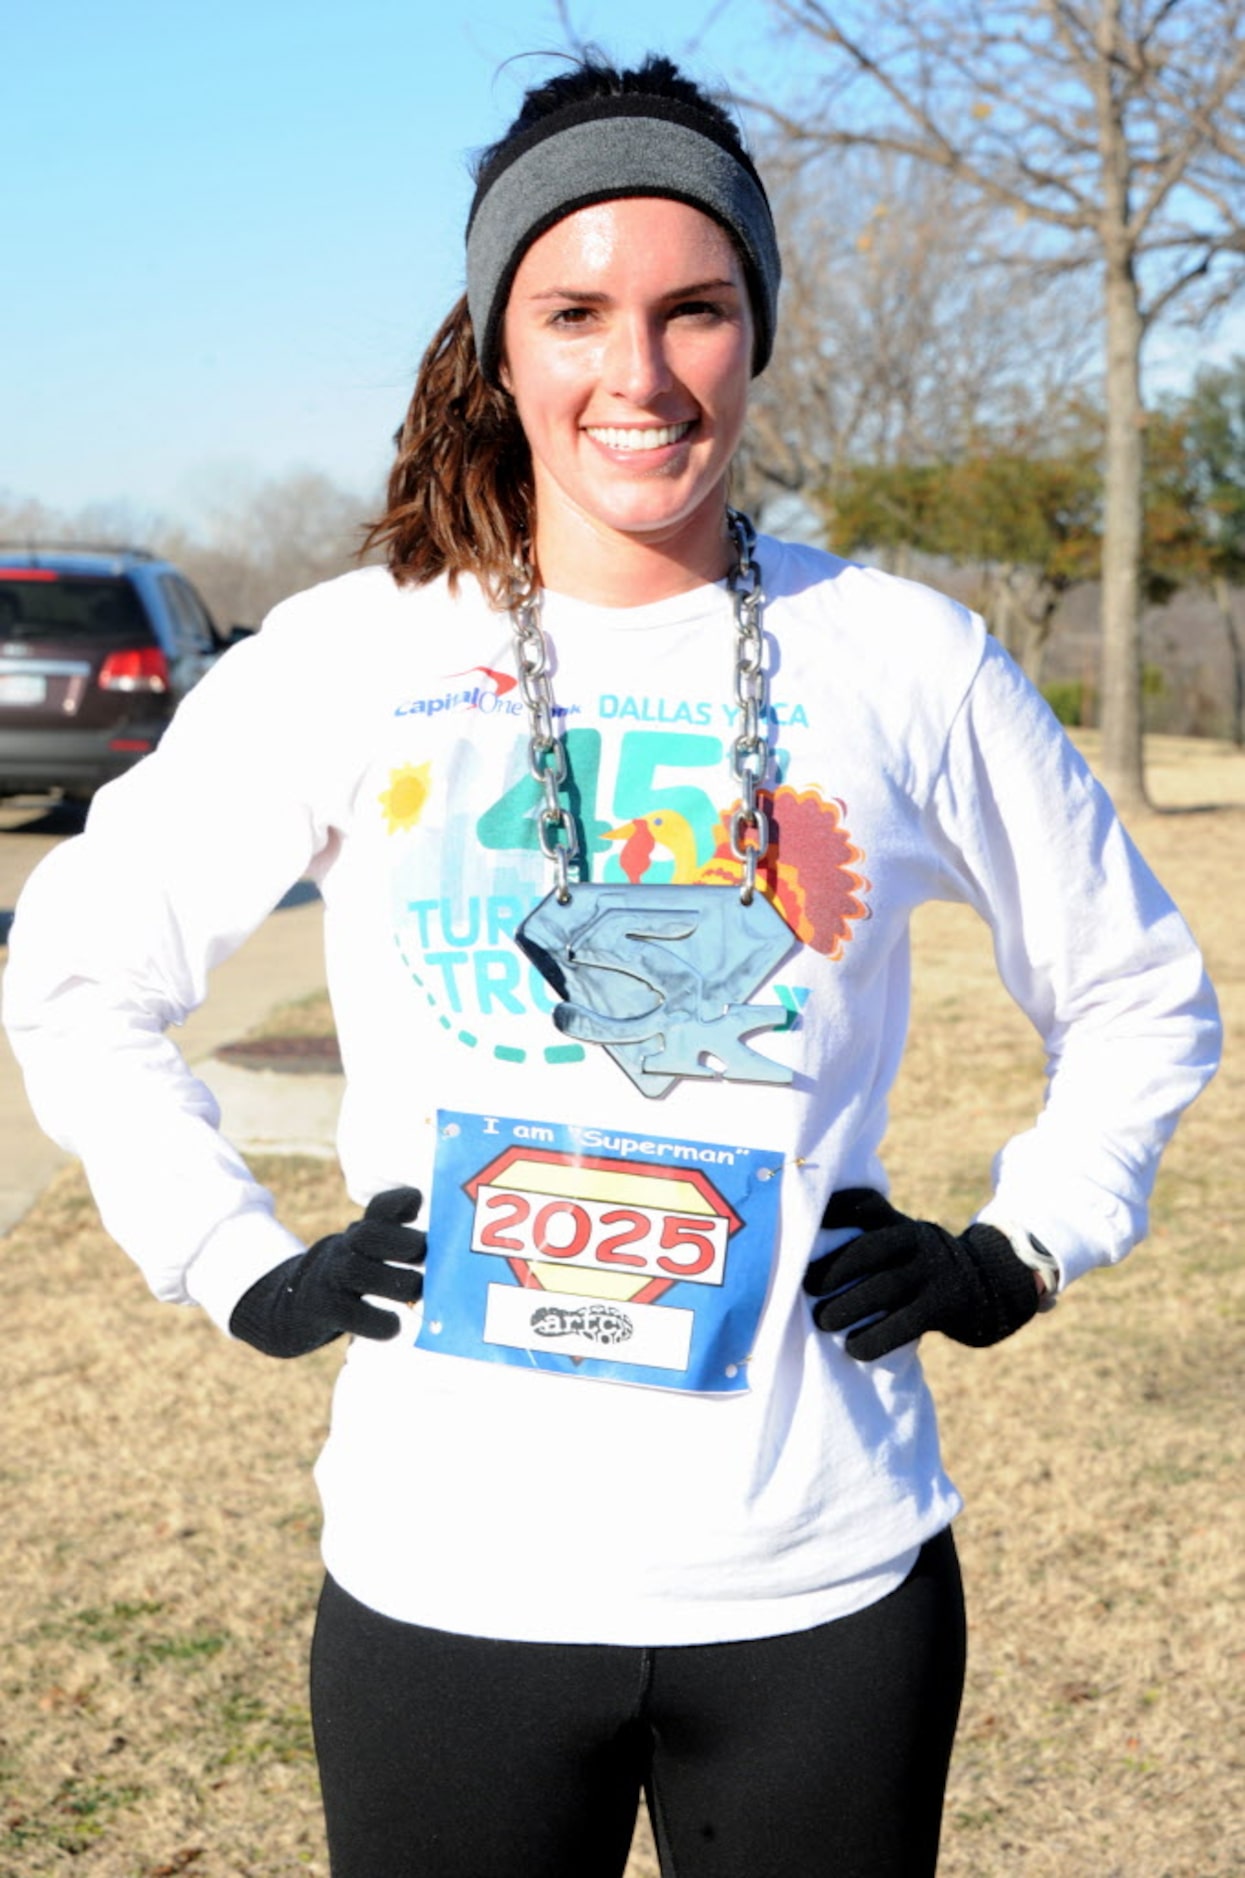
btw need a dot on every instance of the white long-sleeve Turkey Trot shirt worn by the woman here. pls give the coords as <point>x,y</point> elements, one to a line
<point>499,1468</point>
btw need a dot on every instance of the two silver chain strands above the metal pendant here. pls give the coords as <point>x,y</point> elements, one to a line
<point>750,752</point>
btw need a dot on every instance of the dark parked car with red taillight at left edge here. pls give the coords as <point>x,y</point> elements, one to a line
<point>97,651</point>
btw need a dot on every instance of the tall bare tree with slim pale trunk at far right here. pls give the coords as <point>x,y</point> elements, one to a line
<point>1116,132</point>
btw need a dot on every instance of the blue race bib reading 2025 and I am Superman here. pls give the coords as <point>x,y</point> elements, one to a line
<point>598,1254</point>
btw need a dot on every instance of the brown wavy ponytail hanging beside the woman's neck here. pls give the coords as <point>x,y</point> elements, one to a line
<point>461,485</point>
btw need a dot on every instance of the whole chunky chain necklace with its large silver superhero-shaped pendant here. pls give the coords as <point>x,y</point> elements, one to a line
<point>660,976</point>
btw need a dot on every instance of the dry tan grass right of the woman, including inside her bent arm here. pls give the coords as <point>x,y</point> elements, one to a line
<point>1101,1453</point>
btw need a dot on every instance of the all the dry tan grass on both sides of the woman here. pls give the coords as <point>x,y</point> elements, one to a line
<point>161,1535</point>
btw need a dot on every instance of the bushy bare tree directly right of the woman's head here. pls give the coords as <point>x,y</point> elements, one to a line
<point>904,339</point>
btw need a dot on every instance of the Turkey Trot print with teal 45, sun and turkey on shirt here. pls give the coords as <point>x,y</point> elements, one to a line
<point>653,808</point>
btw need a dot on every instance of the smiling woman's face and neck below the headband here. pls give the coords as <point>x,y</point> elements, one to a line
<point>628,352</point>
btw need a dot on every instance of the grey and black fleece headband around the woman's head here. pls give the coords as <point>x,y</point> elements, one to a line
<point>598,151</point>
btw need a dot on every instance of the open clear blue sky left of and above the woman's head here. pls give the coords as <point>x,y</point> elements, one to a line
<point>232,228</point>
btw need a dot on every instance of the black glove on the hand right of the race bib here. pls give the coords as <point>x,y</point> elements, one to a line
<point>912,1278</point>
